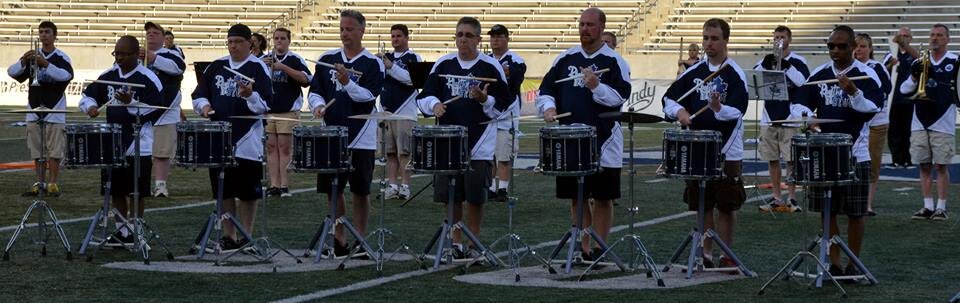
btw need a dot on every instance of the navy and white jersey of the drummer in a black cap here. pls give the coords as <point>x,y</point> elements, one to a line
<point>219,88</point>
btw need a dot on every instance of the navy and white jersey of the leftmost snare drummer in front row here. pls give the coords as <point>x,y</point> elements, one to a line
<point>97,94</point>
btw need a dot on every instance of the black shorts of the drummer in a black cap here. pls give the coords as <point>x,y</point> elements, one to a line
<point>241,181</point>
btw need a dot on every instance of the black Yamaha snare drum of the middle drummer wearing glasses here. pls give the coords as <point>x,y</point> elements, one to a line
<point>440,149</point>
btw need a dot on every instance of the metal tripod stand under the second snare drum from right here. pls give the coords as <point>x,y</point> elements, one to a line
<point>696,238</point>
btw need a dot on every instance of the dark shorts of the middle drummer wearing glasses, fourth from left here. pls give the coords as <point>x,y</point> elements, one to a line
<point>471,186</point>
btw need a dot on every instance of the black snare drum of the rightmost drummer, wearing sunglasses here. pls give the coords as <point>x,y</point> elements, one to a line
<point>822,159</point>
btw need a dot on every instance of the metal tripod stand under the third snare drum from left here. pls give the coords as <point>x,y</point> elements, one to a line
<point>319,240</point>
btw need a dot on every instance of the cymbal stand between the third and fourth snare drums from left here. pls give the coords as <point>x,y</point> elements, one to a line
<point>382,231</point>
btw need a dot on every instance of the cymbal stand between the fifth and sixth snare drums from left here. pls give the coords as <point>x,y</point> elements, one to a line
<point>642,255</point>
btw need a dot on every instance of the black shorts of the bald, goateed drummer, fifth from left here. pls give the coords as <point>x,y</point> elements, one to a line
<point>604,185</point>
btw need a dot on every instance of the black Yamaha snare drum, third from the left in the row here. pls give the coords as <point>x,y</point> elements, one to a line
<point>320,149</point>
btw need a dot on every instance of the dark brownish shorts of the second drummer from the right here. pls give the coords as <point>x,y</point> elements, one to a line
<point>726,194</point>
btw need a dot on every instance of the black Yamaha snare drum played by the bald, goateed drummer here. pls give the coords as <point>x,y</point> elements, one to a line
<point>569,150</point>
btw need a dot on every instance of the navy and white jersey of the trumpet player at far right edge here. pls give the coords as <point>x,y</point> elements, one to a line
<point>940,112</point>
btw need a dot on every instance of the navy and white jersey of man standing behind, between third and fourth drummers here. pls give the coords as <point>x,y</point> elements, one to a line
<point>399,96</point>
